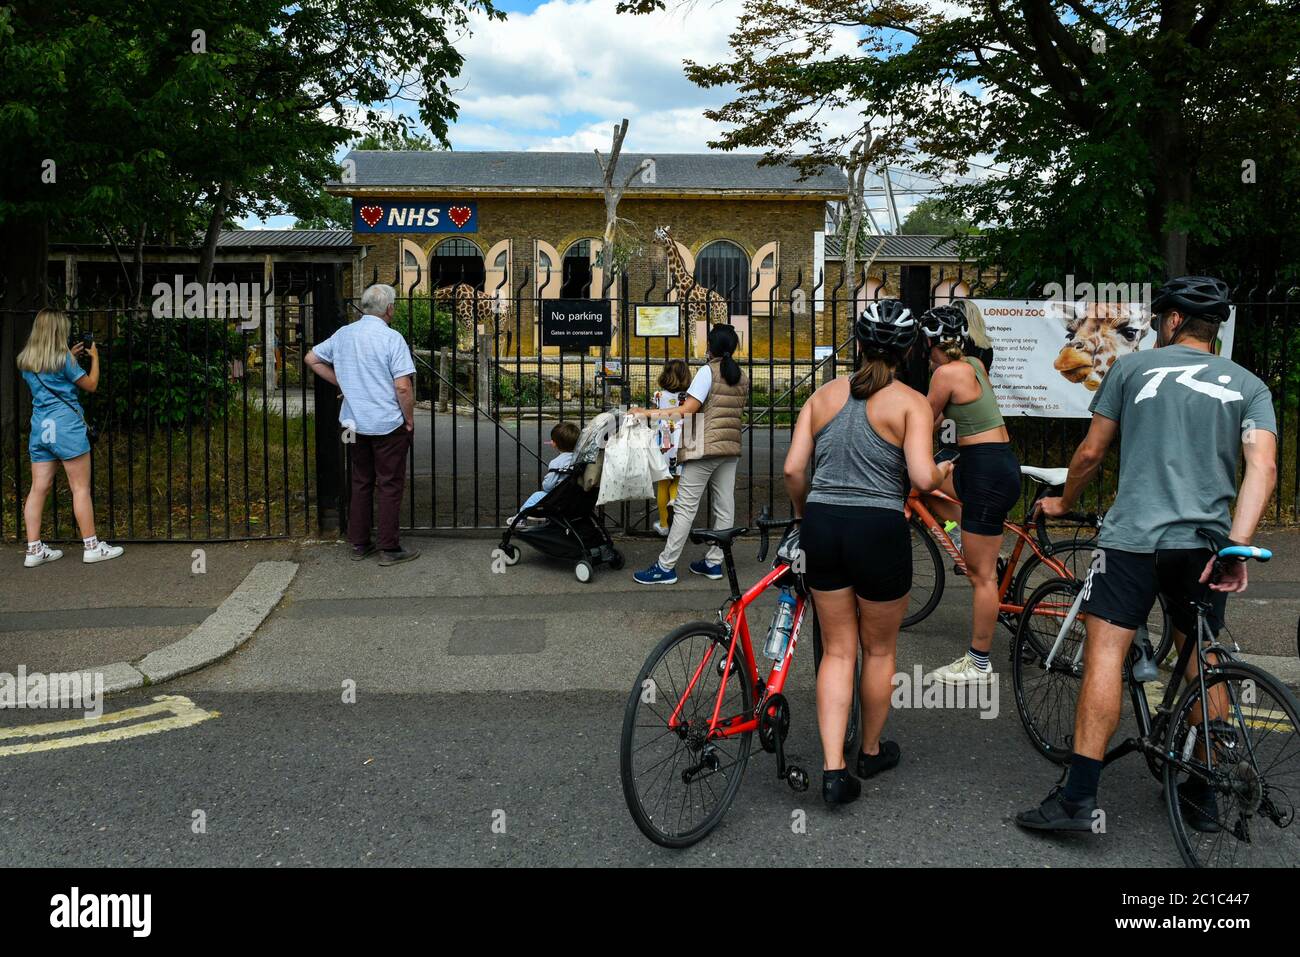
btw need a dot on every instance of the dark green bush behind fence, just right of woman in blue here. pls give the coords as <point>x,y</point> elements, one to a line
<point>167,371</point>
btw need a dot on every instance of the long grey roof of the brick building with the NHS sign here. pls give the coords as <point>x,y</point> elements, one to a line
<point>543,171</point>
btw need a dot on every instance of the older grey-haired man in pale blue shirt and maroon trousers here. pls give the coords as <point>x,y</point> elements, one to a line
<point>371,363</point>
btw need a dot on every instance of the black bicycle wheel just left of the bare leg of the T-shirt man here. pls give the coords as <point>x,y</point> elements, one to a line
<point>1046,695</point>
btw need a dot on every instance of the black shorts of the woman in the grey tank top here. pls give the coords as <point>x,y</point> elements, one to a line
<point>857,547</point>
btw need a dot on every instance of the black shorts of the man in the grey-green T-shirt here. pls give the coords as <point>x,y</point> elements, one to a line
<point>1123,587</point>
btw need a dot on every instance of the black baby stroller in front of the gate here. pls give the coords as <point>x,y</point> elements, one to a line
<point>573,529</point>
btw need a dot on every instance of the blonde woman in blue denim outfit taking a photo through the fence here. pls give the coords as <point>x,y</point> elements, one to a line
<point>59,434</point>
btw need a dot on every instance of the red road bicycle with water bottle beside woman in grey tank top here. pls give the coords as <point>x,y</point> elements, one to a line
<point>699,700</point>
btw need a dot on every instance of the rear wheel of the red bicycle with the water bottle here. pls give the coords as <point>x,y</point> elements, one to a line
<point>677,783</point>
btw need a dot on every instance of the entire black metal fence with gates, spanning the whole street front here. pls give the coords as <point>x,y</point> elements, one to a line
<point>214,430</point>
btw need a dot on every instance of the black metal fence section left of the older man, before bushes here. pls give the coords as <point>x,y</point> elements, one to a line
<point>205,417</point>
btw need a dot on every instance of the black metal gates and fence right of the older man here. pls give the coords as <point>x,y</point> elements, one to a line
<point>491,391</point>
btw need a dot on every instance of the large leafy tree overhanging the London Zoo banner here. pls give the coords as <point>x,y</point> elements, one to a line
<point>1112,127</point>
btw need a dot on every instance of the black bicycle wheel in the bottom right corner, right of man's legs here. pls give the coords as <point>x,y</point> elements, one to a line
<point>1253,769</point>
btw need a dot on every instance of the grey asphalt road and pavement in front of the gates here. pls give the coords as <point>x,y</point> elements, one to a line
<point>454,711</point>
